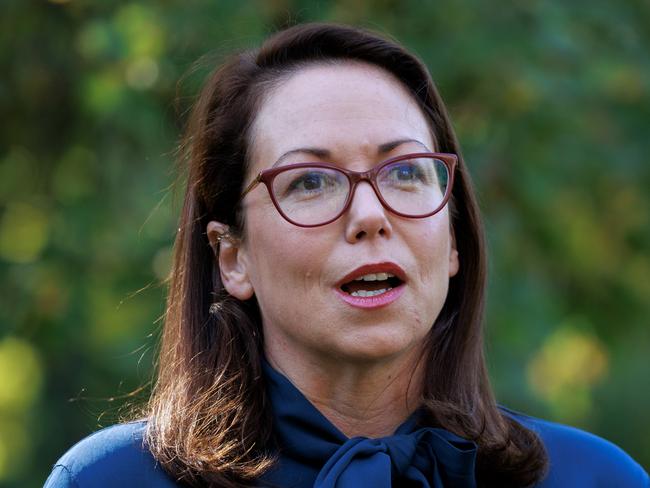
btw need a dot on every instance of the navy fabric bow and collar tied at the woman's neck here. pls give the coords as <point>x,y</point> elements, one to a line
<point>425,458</point>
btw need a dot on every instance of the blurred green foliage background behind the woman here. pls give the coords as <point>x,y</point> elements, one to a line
<point>551,101</point>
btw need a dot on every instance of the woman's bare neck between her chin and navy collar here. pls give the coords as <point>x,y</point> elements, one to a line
<point>369,399</point>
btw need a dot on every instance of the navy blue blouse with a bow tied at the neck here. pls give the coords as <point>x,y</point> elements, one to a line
<point>314,453</point>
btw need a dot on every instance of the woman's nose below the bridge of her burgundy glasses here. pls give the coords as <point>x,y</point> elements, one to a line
<point>366,217</point>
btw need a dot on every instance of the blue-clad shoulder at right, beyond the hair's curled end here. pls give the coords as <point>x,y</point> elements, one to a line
<point>579,458</point>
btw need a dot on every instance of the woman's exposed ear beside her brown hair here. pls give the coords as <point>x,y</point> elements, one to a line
<point>232,260</point>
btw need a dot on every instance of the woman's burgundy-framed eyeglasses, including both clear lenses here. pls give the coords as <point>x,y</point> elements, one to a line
<point>313,194</point>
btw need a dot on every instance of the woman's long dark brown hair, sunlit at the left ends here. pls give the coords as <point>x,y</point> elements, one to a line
<point>208,416</point>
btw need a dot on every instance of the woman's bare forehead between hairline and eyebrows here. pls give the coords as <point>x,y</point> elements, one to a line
<point>346,108</point>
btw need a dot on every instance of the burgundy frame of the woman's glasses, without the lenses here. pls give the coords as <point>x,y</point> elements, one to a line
<point>354,177</point>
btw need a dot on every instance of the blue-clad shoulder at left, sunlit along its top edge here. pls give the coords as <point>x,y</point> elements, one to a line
<point>114,456</point>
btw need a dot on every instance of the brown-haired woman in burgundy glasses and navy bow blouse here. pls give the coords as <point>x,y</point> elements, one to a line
<point>324,321</point>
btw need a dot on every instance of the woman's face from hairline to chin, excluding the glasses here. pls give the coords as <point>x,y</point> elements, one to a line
<point>355,116</point>
